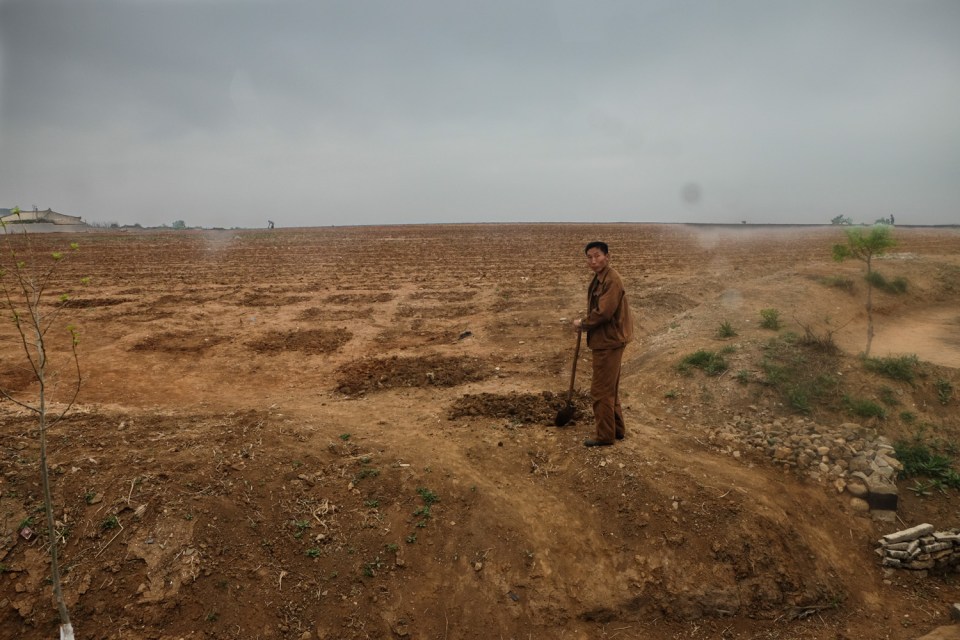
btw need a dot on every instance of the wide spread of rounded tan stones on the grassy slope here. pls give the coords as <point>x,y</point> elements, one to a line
<point>853,458</point>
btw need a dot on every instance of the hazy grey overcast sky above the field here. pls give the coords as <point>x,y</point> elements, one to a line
<point>314,112</point>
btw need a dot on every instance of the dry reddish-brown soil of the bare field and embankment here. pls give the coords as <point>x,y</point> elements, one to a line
<point>346,432</point>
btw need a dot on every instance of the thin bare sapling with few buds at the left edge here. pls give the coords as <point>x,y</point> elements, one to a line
<point>24,285</point>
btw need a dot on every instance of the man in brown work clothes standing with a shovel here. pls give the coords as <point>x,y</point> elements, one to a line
<point>609,327</point>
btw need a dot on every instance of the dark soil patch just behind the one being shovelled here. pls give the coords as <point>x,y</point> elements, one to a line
<point>373,374</point>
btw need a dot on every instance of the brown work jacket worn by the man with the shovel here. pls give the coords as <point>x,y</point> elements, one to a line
<point>609,323</point>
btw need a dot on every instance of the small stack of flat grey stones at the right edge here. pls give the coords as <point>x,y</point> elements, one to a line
<point>920,548</point>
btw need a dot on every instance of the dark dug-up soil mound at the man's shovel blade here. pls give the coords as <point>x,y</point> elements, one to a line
<point>530,408</point>
